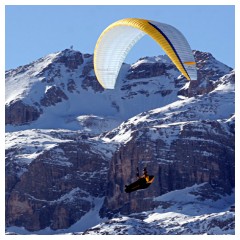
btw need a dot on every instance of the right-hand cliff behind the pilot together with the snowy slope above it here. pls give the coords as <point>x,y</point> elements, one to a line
<point>178,147</point>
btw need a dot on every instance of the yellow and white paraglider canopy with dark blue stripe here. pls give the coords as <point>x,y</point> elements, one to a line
<point>118,39</point>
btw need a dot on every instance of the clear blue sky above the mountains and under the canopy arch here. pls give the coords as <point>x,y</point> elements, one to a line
<point>32,32</point>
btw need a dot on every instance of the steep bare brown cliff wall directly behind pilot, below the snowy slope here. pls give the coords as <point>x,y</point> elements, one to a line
<point>180,164</point>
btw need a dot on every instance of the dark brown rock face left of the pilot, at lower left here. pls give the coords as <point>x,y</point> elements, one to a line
<point>57,188</point>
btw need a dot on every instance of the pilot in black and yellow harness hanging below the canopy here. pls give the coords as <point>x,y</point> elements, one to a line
<point>142,182</point>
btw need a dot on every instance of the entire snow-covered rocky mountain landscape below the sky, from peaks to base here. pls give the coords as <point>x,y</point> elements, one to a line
<point>71,146</point>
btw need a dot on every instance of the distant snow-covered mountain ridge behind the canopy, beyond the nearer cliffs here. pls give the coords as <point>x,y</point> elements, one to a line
<point>54,91</point>
